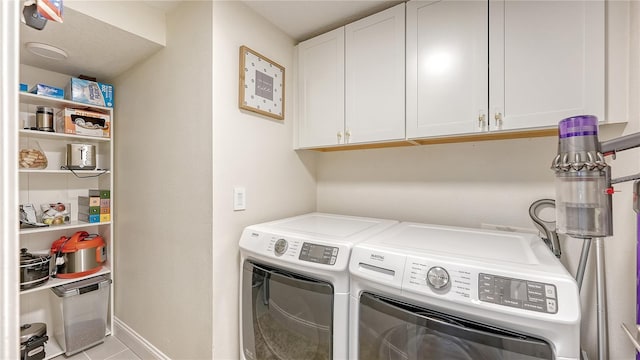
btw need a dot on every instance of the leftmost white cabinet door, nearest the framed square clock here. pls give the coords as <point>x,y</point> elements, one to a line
<point>321,90</point>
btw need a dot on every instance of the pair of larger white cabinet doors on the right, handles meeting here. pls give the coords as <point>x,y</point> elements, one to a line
<point>477,66</point>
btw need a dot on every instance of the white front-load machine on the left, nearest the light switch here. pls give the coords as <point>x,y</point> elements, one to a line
<point>294,285</point>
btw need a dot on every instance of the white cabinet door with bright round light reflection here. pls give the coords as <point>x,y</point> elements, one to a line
<point>447,70</point>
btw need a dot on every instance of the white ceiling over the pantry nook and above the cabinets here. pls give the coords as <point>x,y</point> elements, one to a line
<point>85,38</point>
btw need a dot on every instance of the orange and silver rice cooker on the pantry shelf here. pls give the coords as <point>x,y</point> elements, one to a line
<point>80,255</point>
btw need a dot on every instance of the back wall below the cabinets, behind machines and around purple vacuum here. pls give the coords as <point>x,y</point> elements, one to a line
<point>495,182</point>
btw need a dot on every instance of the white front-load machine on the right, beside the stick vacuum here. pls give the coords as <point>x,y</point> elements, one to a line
<point>421,291</point>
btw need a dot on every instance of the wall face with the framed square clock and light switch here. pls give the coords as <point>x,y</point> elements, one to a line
<point>251,151</point>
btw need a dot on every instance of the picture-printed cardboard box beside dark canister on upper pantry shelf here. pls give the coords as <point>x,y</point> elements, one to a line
<point>82,122</point>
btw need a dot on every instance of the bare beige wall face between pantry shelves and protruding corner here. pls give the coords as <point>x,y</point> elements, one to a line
<point>163,219</point>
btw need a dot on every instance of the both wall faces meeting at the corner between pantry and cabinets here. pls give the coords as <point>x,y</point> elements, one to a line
<point>182,145</point>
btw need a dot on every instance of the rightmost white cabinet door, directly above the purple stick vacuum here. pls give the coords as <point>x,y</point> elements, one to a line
<point>546,62</point>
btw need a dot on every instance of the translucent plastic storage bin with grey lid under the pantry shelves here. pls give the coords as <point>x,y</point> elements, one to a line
<point>83,307</point>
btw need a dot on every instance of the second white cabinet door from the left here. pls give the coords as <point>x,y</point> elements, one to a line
<point>375,64</point>
